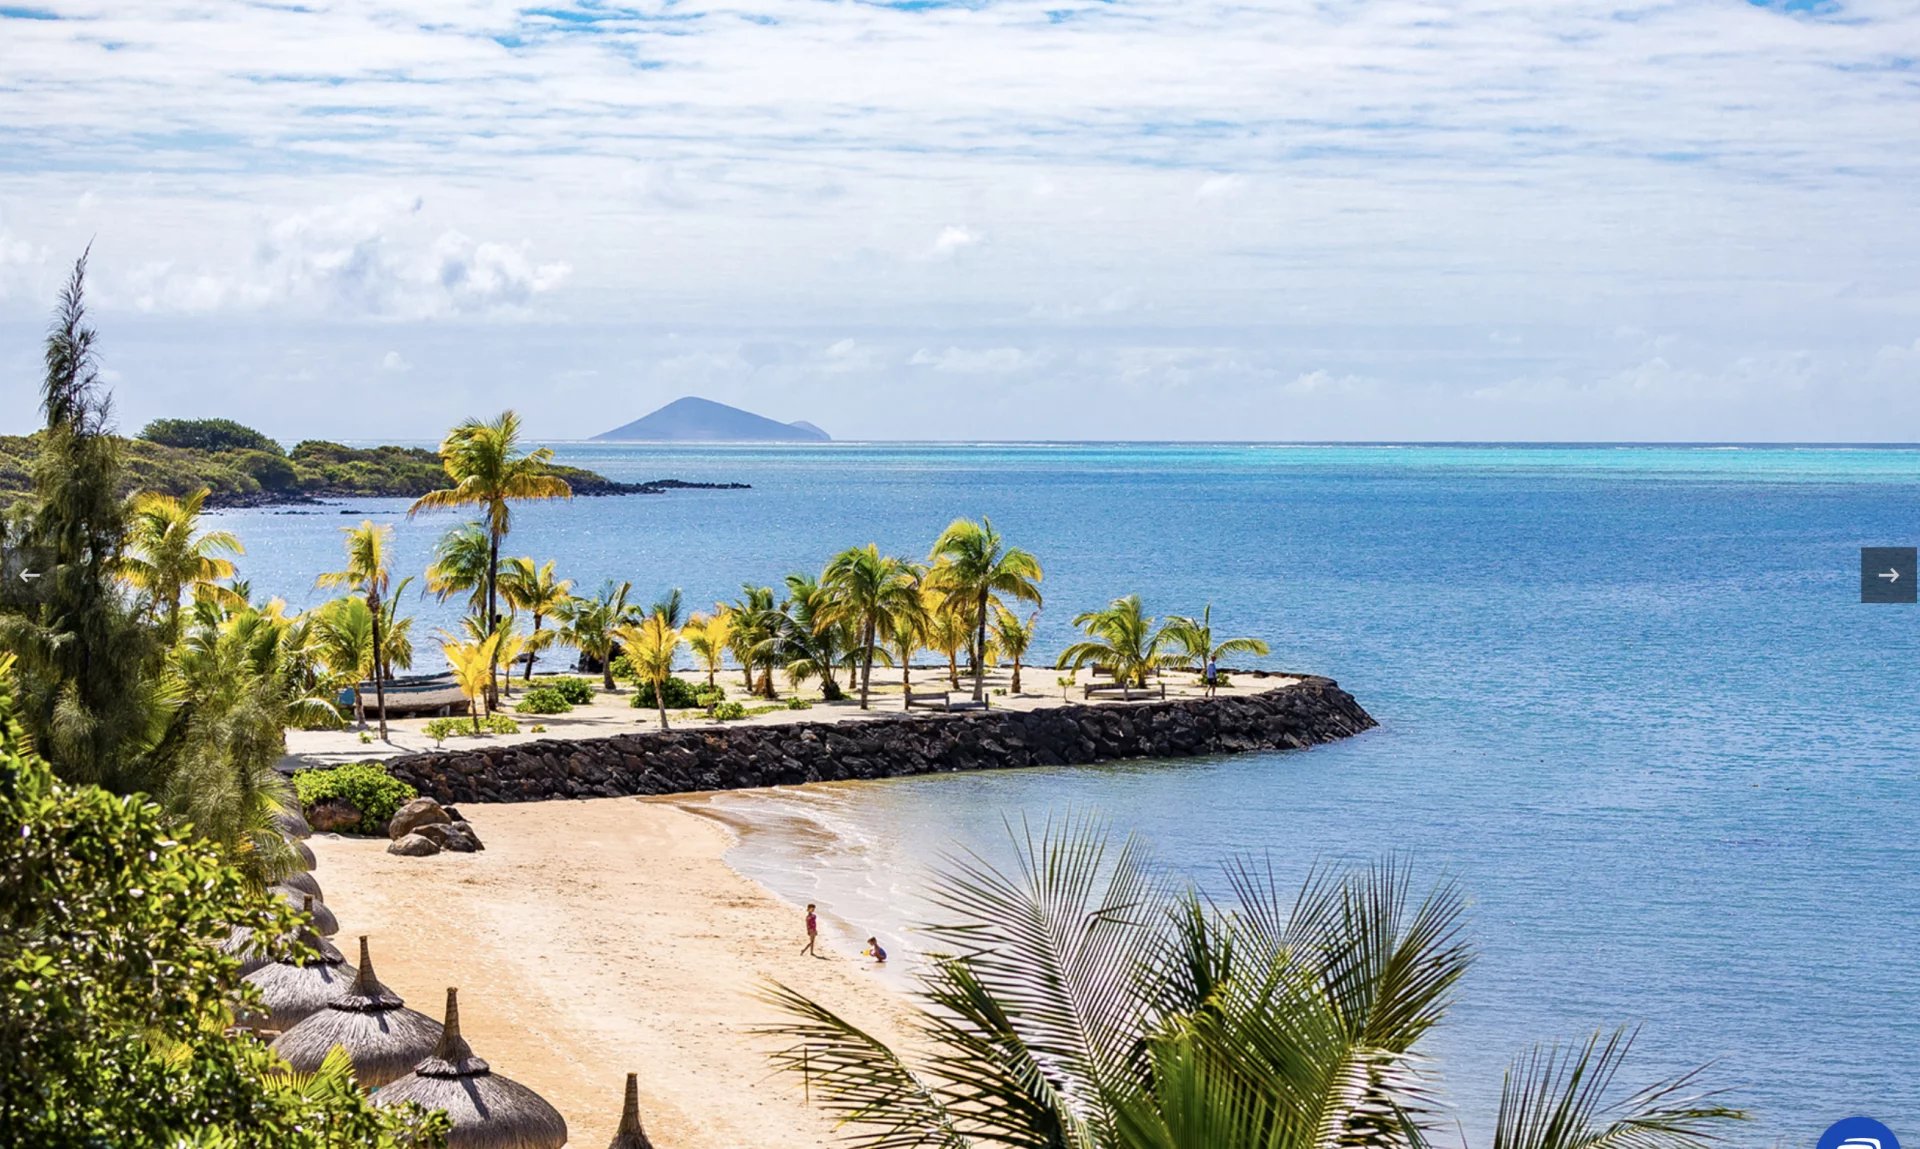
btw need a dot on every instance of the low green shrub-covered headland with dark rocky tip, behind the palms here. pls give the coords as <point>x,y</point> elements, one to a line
<point>243,468</point>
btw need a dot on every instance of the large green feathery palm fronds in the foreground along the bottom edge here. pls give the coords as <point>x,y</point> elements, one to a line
<point>1084,1002</point>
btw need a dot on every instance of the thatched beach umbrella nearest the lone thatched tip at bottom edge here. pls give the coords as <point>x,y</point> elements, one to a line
<point>487,1112</point>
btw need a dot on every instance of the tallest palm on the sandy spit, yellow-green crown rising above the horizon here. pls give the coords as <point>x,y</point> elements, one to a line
<point>491,472</point>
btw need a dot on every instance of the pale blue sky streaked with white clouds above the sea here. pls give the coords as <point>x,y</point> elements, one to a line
<point>1556,220</point>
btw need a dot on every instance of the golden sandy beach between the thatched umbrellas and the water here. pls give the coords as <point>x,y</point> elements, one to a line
<point>594,939</point>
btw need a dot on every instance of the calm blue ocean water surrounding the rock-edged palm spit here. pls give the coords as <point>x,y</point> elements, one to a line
<point>1629,698</point>
